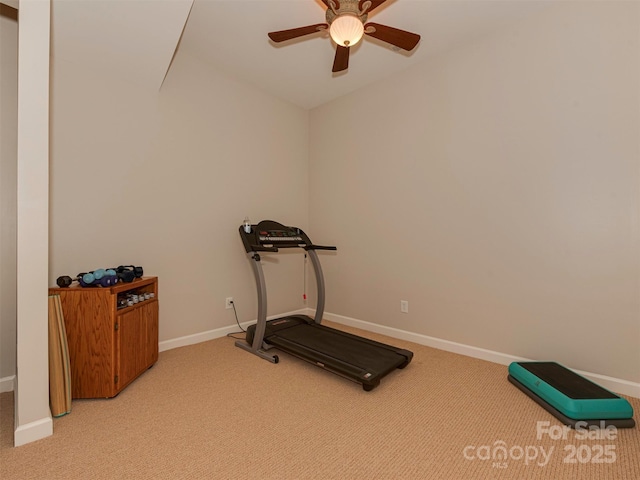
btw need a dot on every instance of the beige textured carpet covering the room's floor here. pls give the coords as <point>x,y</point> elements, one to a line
<point>213,411</point>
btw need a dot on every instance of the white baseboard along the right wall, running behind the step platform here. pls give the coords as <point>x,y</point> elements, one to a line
<point>617,385</point>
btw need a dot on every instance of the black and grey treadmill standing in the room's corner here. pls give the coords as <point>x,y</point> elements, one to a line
<point>356,358</point>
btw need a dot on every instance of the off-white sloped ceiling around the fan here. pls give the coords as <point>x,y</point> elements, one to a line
<point>137,39</point>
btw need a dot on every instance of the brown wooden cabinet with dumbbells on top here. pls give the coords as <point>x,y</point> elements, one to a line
<point>111,339</point>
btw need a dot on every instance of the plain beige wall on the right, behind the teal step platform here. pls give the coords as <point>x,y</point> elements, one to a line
<point>496,188</point>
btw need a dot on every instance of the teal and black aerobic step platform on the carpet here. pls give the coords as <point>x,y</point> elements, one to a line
<point>570,397</point>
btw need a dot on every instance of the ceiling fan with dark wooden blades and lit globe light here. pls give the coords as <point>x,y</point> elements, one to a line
<point>346,22</point>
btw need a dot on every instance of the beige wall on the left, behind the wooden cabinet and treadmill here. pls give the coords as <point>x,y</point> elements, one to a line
<point>164,180</point>
